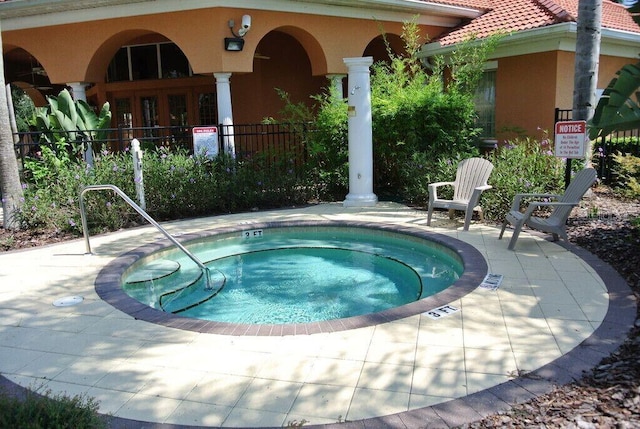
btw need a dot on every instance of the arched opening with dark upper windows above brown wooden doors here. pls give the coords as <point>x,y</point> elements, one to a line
<point>149,83</point>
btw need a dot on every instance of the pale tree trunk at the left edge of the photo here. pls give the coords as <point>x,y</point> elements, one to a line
<point>10,186</point>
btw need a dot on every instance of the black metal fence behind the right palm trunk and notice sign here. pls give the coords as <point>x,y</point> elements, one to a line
<point>606,146</point>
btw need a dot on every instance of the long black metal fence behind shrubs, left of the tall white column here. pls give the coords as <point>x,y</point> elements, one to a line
<point>272,140</point>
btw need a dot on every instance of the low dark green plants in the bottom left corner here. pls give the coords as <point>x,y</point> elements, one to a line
<point>49,412</point>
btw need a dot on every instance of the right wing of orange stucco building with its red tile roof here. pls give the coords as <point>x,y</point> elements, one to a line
<point>531,72</point>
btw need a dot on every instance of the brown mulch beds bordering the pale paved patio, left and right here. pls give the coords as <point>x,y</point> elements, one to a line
<point>609,396</point>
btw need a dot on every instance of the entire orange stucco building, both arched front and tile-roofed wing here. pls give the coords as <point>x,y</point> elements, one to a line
<point>166,63</point>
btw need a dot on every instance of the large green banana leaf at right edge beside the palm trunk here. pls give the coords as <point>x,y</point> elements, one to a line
<point>618,108</point>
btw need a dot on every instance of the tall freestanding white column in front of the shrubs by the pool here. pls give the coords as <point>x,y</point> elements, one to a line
<point>360,134</point>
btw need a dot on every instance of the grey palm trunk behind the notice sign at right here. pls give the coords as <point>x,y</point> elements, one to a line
<point>586,62</point>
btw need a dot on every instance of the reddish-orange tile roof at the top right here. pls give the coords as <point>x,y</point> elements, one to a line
<point>516,15</point>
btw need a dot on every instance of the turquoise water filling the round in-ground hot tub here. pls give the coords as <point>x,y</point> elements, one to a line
<point>295,275</point>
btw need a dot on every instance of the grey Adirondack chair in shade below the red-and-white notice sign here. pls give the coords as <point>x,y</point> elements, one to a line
<point>562,206</point>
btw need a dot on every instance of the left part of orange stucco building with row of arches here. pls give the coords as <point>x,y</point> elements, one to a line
<point>165,62</point>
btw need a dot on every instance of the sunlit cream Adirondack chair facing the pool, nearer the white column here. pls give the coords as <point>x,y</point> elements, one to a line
<point>471,181</point>
